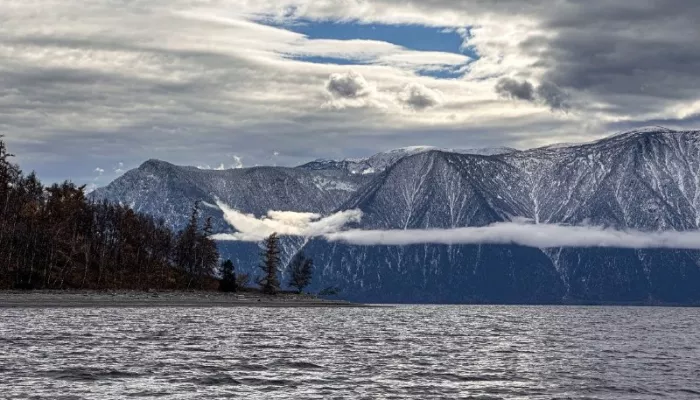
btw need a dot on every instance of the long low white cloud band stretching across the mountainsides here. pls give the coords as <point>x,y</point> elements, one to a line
<point>250,228</point>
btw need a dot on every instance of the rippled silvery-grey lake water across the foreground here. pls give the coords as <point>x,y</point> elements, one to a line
<point>408,352</point>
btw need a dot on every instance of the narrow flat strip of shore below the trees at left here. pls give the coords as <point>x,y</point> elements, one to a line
<point>50,299</point>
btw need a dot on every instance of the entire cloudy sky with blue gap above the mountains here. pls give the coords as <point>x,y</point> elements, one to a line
<point>89,89</point>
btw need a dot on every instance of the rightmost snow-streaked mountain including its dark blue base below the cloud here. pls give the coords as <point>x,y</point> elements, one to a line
<point>645,179</point>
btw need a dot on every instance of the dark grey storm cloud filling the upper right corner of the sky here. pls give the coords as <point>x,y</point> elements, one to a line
<point>622,52</point>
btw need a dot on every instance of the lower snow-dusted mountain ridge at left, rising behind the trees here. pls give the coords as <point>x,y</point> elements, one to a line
<point>169,191</point>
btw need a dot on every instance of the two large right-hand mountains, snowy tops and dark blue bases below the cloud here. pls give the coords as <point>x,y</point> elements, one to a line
<point>644,180</point>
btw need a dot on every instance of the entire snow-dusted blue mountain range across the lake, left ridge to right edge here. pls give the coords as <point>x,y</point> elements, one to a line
<point>646,179</point>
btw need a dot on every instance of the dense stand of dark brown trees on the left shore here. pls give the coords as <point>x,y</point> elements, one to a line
<point>56,238</point>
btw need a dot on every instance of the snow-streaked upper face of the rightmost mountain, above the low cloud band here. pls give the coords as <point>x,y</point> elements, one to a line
<point>658,169</point>
